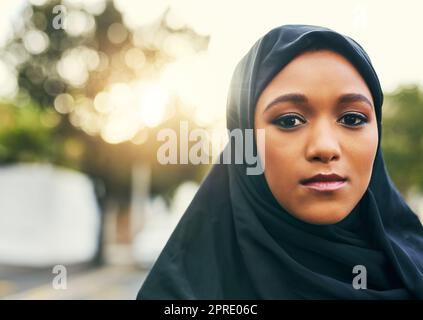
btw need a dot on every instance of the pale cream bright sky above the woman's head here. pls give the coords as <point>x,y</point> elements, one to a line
<point>389,31</point>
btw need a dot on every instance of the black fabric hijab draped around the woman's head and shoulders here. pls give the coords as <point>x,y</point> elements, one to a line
<point>236,242</point>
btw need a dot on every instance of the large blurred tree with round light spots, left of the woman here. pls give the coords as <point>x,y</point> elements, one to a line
<point>37,132</point>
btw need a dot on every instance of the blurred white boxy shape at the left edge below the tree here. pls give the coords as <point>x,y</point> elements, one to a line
<point>48,216</point>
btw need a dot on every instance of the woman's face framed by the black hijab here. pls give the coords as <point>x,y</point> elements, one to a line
<point>318,117</point>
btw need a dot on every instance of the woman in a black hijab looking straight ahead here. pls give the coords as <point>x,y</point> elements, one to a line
<point>291,233</point>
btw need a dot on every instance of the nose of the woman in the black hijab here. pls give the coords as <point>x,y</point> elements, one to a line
<point>323,145</point>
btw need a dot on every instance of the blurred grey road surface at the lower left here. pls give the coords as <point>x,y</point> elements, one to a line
<point>104,283</point>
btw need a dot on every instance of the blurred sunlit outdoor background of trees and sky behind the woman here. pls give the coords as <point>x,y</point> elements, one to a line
<point>86,85</point>
